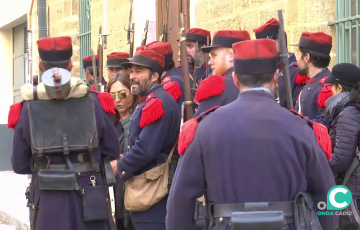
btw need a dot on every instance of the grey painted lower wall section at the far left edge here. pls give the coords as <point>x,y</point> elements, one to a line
<point>6,137</point>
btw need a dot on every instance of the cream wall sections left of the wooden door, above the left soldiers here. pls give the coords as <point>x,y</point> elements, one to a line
<point>64,21</point>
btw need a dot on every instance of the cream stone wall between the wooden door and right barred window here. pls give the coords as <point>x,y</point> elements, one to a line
<point>299,16</point>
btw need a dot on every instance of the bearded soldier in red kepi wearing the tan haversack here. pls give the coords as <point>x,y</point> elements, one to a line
<point>153,132</point>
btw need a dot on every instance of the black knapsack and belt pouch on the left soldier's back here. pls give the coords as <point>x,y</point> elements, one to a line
<point>59,127</point>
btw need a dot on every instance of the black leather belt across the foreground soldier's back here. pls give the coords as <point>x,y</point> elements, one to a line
<point>225,210</point>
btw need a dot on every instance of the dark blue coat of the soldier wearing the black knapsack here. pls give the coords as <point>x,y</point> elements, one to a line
<point>59,210</point>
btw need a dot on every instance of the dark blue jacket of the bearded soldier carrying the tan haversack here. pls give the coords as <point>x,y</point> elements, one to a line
<point>148,144</point>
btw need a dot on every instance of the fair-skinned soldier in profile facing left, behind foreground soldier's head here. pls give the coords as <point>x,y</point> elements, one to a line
<point>219,89</point>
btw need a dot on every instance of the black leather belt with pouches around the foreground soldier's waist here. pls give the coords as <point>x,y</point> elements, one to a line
<point>257,215</point>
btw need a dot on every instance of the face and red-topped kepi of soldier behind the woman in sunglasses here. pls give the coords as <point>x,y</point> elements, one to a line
<point>113,64</point>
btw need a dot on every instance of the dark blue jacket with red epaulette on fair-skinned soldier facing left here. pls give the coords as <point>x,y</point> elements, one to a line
<point>214,92</point>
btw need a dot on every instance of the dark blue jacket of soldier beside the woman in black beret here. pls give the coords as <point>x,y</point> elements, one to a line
<point>308,101</point>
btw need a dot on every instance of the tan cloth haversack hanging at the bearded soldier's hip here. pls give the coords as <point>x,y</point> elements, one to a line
<point>147,189</point>
